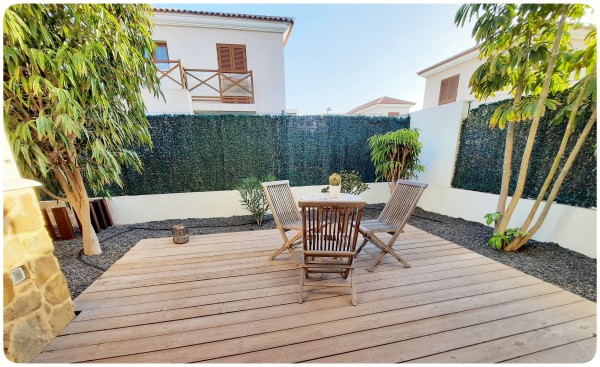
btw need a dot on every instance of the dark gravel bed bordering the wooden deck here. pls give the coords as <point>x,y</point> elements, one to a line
<point>544,260</point>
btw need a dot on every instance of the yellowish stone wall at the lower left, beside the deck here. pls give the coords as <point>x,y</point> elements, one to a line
<point>39,307</point>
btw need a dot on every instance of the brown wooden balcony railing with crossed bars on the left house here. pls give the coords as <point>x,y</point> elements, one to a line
<point>208,85</point>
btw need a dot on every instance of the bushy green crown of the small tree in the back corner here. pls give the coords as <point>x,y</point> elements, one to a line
<point>395,155</point>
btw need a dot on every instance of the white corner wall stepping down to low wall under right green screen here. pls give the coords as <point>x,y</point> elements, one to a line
<point>570,227</point>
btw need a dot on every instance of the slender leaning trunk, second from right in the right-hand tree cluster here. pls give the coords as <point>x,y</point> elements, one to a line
<point>561,151</point>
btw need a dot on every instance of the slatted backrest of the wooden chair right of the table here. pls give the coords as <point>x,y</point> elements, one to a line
<point>404,199</point>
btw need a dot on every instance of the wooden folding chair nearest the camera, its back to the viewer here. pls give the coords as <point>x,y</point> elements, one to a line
<point>329,241</point>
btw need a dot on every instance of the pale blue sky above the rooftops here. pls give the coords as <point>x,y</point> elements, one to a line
<point>343,55</point>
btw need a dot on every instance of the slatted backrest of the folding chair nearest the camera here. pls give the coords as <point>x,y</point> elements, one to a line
<point>327,226</point>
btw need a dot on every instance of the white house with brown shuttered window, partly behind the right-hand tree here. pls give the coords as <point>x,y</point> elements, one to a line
<point>448,81</point>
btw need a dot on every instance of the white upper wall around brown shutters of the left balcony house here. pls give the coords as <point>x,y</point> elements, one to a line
<point>197,49</point>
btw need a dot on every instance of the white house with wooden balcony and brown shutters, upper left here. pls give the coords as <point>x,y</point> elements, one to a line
<point>219,62</point>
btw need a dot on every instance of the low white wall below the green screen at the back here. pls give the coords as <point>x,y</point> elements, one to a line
<point>145,208</point>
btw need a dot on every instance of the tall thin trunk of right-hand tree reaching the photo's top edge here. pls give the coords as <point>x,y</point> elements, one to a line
<point>534,125</point>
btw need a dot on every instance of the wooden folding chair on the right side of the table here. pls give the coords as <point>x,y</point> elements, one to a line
<point>392,219</point>
